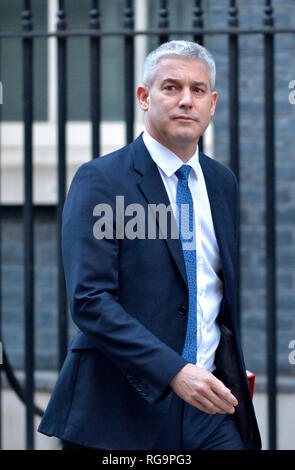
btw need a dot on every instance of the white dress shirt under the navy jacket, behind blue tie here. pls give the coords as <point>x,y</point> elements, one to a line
<point>209,285</point>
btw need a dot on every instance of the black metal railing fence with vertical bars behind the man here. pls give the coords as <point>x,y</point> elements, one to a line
<point>163,32</point>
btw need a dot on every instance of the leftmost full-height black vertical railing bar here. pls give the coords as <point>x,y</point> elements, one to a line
<point>28,217</point>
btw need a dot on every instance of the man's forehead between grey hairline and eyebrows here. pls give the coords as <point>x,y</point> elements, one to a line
<point>181,68</point>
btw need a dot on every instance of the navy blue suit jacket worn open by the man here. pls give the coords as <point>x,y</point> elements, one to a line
<point>129,299</point>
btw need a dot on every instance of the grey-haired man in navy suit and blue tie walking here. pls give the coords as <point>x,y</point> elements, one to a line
<point>157,362</point>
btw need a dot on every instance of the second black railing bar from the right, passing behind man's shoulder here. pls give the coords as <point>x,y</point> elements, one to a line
<point>234,136</point>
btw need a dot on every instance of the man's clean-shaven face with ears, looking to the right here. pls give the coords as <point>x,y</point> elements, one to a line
<point>179,104</point>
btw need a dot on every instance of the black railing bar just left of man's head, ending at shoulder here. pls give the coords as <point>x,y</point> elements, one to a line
<point>129,70</point>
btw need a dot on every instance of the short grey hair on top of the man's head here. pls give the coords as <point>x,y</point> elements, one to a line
<point>188,49</point>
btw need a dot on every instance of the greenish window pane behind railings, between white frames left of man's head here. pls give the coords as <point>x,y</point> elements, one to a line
<point>112,78</point>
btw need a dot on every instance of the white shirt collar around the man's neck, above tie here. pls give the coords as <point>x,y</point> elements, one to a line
<point>167,160</point>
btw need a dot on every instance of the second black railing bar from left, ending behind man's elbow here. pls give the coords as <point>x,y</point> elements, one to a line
<point>62,116</point>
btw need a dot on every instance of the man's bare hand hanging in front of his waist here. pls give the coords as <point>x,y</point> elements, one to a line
<point>201,389</point>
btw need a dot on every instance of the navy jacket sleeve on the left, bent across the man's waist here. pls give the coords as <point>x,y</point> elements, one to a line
<point>91,273</point>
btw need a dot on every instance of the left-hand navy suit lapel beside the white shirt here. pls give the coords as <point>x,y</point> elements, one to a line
<point>151,185</point>
